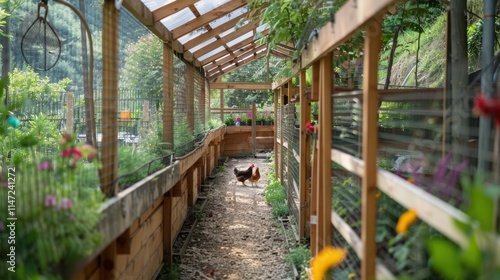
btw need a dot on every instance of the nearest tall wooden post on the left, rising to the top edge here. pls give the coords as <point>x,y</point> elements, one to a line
<point>109,170</point>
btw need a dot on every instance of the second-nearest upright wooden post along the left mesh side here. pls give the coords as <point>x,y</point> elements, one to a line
<point>168,96</point>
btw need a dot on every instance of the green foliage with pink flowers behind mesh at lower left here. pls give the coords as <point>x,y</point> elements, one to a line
<point>56,217</point>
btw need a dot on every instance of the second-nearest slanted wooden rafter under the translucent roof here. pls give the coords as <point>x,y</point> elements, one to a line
<point>207,18</point>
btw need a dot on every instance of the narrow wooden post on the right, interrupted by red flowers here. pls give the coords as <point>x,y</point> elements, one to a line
<point>315,172</point>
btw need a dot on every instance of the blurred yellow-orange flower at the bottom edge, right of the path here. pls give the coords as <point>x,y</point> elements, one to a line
<point>328,257</point>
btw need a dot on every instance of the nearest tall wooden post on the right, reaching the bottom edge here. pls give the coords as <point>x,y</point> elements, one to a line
<point>370,145</point>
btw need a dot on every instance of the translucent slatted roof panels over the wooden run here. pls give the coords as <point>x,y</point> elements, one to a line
<point>187,11</point>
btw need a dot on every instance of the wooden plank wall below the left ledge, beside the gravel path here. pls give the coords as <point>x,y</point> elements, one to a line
<point>142,248</point>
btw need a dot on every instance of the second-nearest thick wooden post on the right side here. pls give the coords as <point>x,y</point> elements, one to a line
<point>325,166</point>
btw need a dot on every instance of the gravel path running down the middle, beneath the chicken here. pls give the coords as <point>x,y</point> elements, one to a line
<point>236,237</point>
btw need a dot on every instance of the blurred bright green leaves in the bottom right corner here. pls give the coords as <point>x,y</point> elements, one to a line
<point>477,259</point>
